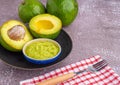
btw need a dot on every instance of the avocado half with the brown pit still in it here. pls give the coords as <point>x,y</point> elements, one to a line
<point>13,35</point>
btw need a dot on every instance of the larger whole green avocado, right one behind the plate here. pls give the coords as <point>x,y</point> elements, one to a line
<point>66,10</point>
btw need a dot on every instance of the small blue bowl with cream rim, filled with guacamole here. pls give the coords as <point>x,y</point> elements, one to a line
<point>41,50</point>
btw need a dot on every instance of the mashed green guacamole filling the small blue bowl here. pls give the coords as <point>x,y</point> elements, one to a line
<point>42,50</point>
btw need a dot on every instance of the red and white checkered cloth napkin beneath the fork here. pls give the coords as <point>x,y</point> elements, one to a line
<point>105,76</point>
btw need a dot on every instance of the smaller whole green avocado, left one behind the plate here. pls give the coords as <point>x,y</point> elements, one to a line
<point>30,8</point>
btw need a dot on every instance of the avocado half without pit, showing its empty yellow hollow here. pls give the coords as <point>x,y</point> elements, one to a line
<point>45,26</point>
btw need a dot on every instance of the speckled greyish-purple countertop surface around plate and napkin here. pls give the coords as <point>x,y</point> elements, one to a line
<point>95,31</point>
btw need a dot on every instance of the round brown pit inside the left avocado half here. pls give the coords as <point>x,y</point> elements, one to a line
<point>16,33</point>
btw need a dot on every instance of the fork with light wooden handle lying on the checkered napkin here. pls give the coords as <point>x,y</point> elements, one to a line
<point>93,68</point>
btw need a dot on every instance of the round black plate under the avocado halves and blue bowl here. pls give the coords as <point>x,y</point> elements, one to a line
<point>18,60</point>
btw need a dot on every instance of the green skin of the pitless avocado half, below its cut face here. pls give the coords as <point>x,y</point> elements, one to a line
<point>51,36</point>
